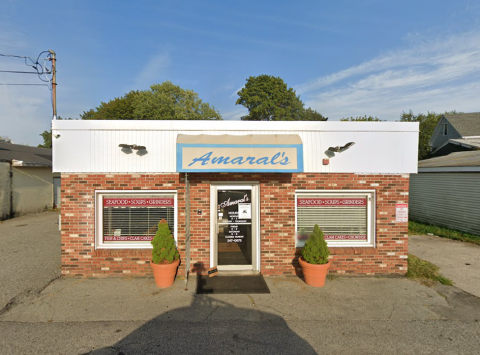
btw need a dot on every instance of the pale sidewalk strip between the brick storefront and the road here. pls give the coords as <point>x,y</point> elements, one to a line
<point>138,299</point>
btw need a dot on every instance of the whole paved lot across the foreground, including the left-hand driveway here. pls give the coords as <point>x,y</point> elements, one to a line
<point>350,315</point>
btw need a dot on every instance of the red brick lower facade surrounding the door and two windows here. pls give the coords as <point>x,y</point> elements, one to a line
<point>277,222</point>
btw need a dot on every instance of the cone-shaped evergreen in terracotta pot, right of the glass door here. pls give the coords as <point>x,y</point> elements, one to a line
<point>314,259</point>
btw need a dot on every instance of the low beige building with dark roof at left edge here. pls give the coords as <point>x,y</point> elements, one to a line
<point>26,180</point>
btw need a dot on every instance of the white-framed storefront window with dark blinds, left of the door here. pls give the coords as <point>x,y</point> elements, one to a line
<point>129,219</point>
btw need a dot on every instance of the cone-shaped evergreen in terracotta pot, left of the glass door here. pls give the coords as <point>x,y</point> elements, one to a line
<point>165,256</point>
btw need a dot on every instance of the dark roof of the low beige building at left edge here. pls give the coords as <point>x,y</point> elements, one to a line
<point>23,155</point>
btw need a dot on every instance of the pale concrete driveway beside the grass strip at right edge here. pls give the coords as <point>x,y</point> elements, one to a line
<point>459,261</point>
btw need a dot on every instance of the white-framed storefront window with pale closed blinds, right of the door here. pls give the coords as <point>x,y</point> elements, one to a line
<point>346,218</point>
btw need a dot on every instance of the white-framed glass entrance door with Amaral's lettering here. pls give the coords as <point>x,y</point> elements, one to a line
<point>235,228</point>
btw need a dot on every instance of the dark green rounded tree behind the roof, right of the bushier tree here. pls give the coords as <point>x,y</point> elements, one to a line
<point>268,98</point>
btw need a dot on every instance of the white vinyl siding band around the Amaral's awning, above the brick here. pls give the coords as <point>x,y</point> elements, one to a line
<point>76,150</point>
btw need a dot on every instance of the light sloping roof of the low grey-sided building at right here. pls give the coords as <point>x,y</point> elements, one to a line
<point>460,161</point>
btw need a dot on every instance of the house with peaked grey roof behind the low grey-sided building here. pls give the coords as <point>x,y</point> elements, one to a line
<point>455,133</point>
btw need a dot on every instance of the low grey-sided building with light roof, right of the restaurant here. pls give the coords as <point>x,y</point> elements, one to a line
<point>446,191</point>
